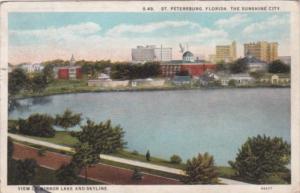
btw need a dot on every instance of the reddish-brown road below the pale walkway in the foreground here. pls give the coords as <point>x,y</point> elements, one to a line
<point>100,172</point>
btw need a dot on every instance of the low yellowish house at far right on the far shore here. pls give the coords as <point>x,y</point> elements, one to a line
<point>276,79</point>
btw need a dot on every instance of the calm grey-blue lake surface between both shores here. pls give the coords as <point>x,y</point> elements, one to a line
<point>186,123</point>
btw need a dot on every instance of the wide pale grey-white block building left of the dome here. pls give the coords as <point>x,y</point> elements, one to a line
<point>151,53</point>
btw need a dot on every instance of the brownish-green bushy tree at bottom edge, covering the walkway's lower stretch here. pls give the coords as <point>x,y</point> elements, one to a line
<point>201,170</point>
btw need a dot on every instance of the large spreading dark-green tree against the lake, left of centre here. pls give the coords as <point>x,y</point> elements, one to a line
<point>103,137</point>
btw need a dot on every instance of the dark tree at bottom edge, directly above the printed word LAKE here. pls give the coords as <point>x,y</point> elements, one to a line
<point>67,174</point>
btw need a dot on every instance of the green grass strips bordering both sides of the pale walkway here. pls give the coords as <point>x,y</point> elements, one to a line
<point>64,138</point>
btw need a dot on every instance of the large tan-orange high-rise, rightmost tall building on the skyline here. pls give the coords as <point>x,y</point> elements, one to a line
<point>262,50</point>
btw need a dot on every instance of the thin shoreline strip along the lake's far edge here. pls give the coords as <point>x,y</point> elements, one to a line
<point>144,90</point>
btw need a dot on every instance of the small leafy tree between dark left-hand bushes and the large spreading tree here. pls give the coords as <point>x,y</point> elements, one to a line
<point>68,119</point>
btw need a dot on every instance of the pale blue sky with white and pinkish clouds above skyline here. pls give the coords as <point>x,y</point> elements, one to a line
<point>37,37</point>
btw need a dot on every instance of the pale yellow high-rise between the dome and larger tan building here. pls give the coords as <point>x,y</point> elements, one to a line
<point>226,53</point>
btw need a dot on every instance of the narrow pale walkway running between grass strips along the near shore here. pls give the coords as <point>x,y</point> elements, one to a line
<point>117,159</point>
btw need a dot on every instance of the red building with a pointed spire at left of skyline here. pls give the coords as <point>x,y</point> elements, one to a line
<point>71,72</point>
